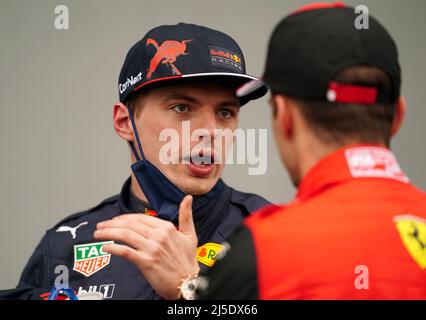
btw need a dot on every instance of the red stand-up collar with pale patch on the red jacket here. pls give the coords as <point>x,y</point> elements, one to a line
<point>347,163</point>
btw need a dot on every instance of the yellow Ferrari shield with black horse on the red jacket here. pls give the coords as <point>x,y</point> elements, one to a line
<point>413,235</point>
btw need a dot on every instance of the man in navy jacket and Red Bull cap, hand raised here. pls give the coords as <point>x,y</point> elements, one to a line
<point>128,246</point>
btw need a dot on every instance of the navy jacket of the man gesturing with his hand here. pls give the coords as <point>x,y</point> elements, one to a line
<point>121,279</point>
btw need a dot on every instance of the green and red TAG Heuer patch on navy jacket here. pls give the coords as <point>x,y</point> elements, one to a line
<point>89,258</point>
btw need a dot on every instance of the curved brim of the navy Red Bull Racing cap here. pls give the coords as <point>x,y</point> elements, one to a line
<point>236,80</point>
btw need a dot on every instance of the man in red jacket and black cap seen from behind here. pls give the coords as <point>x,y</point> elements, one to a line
<point>357,228</point>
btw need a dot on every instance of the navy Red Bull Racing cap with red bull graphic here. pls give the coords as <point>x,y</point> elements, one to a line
<point>184,53</point>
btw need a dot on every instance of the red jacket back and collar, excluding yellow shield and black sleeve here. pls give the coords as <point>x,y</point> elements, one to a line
<point>311,248</point>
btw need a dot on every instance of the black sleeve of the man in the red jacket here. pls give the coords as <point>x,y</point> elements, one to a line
<point>234,276</point>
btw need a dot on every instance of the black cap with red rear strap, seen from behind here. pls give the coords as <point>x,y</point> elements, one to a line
<point>309,47</point>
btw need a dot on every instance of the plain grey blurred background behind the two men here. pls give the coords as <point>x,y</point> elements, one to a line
<point>60,154</point>
